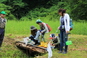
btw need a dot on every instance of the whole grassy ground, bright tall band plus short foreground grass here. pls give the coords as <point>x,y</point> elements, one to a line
<point>16,30</point>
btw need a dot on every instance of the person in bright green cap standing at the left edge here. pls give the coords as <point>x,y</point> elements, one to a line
<point>2,26</point>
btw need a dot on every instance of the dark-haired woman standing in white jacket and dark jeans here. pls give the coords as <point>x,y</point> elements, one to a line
<point>64,30</point>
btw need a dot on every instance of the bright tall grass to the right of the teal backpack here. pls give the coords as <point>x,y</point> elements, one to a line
<point>79,28</point>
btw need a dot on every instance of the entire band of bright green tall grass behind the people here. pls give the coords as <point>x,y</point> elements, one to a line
<point>23,27</point>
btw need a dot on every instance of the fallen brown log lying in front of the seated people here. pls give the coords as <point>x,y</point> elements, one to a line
<point>30,48</point>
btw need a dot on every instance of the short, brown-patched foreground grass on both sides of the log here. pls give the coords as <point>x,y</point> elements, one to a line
<point>77,50</point>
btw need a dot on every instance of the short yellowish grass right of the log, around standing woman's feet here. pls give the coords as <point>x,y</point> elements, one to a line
<point>77,50</point>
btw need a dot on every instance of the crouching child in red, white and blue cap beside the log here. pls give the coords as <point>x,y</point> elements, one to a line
<point>55,41</point>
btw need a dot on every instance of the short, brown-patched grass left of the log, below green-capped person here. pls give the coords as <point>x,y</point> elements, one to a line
<point>9,50</point>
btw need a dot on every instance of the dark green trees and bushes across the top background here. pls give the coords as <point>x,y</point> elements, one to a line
<point>30,9</point>
